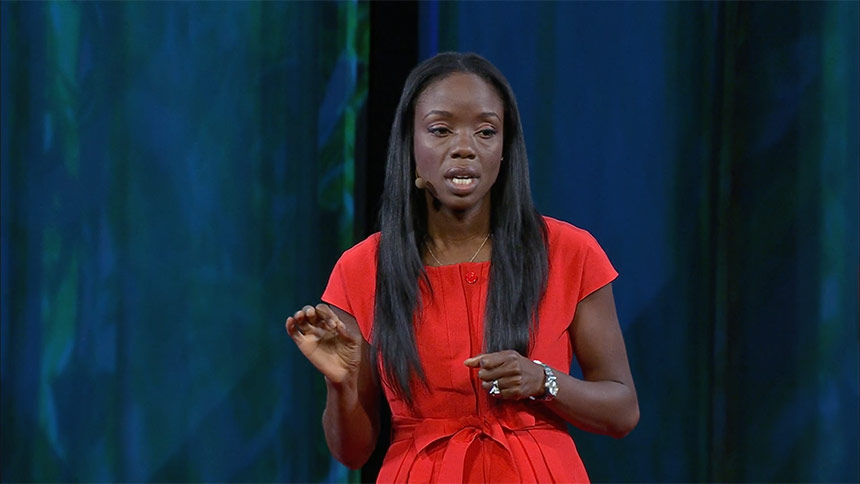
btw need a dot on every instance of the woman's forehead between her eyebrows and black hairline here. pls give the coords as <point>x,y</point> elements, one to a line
<point>460,91</point>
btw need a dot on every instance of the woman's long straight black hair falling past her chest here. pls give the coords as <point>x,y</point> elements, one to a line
<point>518,264</point>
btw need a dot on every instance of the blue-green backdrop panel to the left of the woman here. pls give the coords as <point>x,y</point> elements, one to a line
<point>176,179</point>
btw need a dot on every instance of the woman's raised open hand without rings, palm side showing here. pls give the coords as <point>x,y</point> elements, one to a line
<point>326,342</point>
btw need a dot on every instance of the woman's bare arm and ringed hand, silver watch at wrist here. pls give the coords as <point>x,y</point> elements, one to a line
<point>605,400</point>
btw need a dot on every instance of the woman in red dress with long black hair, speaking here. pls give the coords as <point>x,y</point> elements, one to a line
<point>468,306</point>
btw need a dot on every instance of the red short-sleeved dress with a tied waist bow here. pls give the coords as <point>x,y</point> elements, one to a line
<point>453,432</point>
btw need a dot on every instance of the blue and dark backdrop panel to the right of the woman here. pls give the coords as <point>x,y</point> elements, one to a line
<point>712,149</point>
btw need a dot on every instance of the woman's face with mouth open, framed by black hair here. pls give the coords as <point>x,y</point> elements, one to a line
<point>458,139</point>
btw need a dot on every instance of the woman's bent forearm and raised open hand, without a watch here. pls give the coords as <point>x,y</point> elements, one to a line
<point>331,340</point>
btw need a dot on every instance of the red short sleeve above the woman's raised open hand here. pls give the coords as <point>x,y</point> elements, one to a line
<point>352,283</point>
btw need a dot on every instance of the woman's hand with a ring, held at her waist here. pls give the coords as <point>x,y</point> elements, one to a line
<point>518,377</point>
